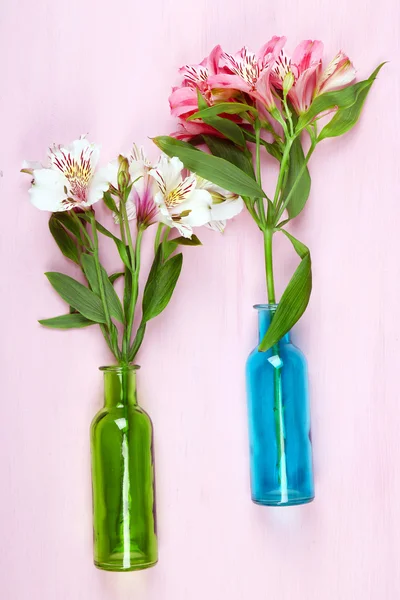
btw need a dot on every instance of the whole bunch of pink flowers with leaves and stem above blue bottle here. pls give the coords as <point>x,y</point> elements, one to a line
<point>267,101</point>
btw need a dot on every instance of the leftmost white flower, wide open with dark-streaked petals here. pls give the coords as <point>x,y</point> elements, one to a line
<point>70,180</point>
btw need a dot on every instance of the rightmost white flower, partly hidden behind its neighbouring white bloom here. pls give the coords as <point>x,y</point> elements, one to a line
<point>224,205</point>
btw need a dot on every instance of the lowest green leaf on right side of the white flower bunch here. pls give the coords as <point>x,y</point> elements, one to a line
<point>160,284</point>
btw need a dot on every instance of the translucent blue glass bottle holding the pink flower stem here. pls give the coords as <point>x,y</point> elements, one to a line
<point>281,470</point>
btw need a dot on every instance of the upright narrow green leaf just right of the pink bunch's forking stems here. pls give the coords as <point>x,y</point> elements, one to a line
<point>300,196</point>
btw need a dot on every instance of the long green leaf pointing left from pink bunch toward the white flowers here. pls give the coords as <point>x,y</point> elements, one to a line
<point>214,169</point>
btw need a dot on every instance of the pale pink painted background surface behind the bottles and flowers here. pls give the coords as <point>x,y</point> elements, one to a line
<point>106,68</point>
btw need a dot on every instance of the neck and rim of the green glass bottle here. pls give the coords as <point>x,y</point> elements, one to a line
<point>119,386</point>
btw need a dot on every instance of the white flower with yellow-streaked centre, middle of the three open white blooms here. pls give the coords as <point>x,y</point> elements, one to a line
<point>180,204</point>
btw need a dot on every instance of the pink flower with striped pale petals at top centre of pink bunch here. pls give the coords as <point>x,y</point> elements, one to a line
<point>250,73</point>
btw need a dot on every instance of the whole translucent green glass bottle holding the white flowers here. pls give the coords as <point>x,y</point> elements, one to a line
<point>124,515</point>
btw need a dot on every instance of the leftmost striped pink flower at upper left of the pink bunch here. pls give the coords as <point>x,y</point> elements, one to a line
<point>183,100</point>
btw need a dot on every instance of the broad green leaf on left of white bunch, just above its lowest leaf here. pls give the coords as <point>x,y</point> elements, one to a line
<point>77,295</point>
